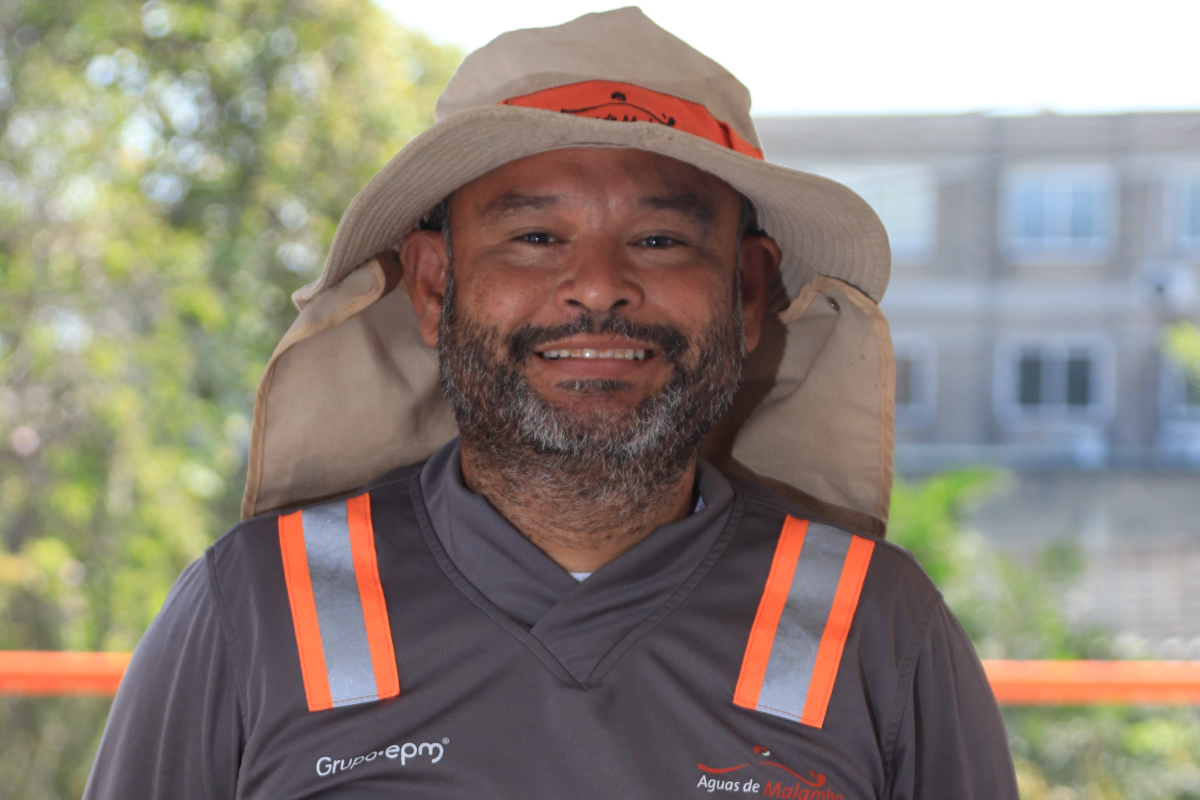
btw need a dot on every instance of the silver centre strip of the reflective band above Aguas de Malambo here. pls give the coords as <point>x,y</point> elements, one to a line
<point>785,687</point>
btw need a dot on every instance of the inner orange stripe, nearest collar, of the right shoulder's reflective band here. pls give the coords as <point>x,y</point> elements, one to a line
<point>771,607</point>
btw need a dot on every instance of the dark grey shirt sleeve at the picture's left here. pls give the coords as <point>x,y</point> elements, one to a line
<point>176,730</point>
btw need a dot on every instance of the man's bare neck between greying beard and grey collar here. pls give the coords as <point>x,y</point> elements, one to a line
<point>580,531</point>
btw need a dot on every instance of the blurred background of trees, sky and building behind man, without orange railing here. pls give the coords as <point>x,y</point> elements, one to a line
<point>171,172</point>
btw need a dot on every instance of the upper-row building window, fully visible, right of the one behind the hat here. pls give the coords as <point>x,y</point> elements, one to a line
<point>1059,212</point>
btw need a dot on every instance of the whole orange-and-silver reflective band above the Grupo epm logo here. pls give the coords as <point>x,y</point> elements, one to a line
<point>338,605</point>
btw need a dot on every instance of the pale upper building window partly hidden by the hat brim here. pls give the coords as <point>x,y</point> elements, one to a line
<point>904,196</point>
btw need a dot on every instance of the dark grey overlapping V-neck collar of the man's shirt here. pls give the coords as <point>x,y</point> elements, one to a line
<point>578,623</point>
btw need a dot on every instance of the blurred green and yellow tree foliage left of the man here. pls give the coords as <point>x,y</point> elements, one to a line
<point>170,173</point>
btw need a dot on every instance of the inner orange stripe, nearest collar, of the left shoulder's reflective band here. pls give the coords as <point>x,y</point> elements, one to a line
<point>375,610</point>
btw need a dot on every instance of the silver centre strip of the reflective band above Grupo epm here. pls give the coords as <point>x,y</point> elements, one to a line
<point>344,633</point>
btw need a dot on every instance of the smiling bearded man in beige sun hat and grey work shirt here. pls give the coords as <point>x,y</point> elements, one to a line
<point>550,594</point>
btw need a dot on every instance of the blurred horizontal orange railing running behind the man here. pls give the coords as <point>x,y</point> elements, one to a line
<point>1016,683</point>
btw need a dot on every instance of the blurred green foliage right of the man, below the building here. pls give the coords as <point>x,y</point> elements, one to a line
<point>1012,610</point>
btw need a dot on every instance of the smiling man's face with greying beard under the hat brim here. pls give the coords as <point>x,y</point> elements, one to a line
<point>593,315</point>
